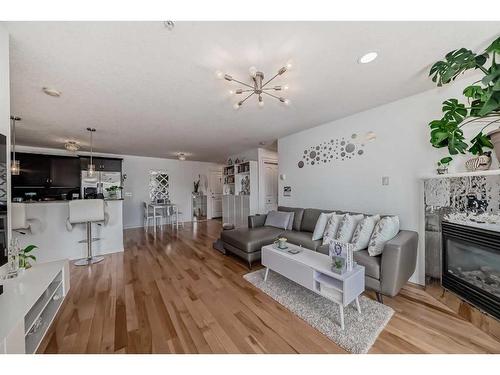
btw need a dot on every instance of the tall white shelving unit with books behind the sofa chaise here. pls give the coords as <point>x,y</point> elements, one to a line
<point>241,193</point>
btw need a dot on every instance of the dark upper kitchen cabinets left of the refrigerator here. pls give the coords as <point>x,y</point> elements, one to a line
<point>47,171</point>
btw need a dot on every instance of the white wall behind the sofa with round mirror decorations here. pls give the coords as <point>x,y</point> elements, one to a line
<point>401,151</point>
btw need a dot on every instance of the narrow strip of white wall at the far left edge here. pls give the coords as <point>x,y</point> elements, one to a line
<point>5,103</point>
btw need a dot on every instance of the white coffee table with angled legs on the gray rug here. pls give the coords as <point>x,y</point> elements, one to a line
<point>313,271</point>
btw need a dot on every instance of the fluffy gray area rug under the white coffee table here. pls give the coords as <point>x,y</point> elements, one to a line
<point>361,330</point>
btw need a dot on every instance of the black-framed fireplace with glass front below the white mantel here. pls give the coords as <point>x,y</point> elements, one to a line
<point>471,265</point>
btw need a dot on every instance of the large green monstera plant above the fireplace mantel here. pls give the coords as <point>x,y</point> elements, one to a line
<point>480,102</point>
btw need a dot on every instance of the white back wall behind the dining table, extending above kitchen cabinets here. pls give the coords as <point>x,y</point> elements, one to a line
<point>182,174</point>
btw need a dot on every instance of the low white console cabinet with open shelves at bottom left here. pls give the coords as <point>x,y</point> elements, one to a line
<point>29,304</point>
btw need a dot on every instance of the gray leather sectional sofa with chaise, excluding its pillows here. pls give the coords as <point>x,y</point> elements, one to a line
<point>385,274</point>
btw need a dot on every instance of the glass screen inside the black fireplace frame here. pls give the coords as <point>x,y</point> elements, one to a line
<point>474,264</point>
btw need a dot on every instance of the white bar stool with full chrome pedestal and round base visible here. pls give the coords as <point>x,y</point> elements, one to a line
<point>87,211</point>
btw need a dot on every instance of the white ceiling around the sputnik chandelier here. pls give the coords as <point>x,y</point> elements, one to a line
<point>153,92</point>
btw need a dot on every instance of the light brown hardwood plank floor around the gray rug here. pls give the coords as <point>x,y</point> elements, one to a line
<point>175,294</point>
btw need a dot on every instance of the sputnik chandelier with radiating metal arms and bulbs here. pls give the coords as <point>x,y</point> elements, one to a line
<point>258,87</point>
